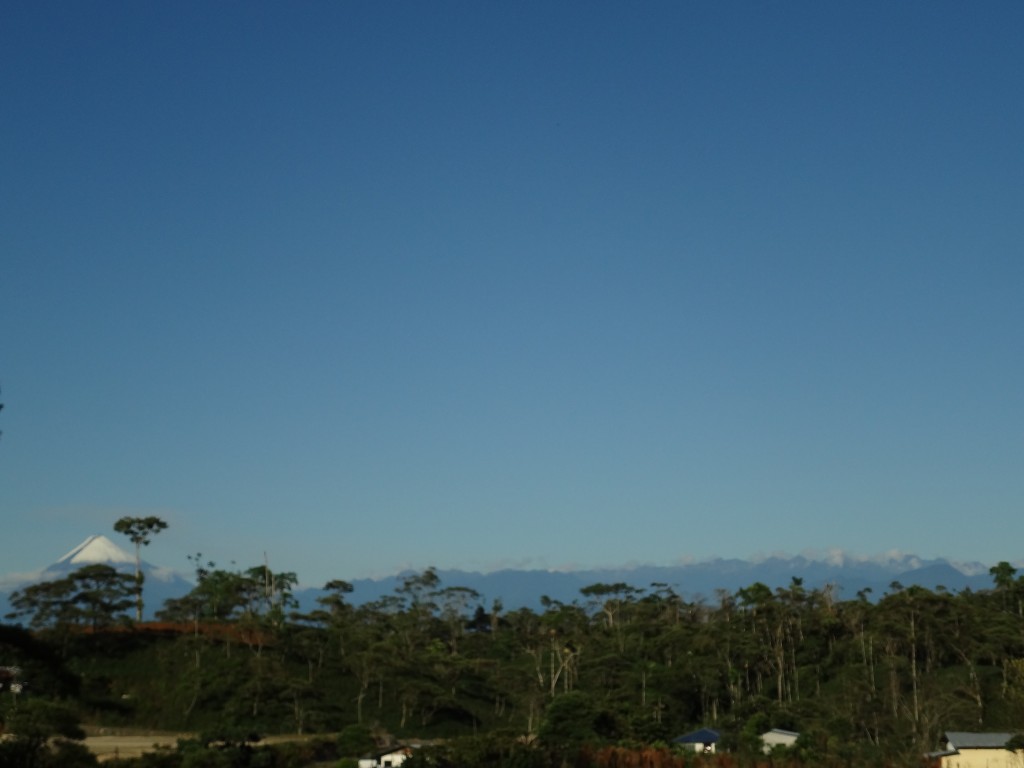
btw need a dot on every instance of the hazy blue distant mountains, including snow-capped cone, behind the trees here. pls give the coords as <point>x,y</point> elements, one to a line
<point>517,589</point>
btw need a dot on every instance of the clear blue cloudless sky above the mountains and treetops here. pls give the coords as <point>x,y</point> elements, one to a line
<point>366,286</point>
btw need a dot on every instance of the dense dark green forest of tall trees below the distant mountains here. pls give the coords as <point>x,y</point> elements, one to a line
<point>872,680</point>
